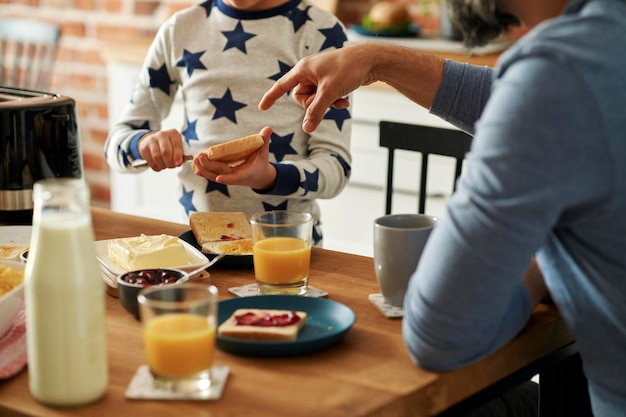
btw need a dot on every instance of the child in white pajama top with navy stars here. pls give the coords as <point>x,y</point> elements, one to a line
<point>223,57</point>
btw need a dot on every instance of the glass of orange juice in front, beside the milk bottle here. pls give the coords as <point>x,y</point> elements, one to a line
<point>179,323</point>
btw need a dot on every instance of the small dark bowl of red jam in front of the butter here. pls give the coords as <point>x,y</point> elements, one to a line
<point>130,283</point>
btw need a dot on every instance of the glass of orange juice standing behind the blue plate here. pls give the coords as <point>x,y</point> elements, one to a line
<point>281,251</point>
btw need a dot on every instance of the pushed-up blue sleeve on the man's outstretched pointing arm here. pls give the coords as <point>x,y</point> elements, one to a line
<point>463,94</point>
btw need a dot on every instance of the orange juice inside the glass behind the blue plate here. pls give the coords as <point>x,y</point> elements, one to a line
<point>281,260</point>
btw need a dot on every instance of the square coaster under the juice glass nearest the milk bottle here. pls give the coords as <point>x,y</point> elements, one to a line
<point>141,387</point>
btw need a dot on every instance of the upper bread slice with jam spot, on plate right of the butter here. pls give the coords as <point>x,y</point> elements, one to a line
<point>219,226</point>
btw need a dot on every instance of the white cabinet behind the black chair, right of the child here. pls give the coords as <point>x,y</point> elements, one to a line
<point>348,218</point>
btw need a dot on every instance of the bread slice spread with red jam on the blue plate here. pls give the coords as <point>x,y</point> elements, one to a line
<point>263,324</point>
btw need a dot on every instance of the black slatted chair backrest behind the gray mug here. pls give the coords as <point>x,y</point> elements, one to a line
<point>426,140</point>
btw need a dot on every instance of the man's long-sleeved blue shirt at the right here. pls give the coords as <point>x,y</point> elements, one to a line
<point>546,177</point>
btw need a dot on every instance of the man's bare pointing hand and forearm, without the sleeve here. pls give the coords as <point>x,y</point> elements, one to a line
<point>323,80</point>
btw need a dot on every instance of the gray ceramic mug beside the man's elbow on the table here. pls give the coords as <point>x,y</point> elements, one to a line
<point>398,243</point>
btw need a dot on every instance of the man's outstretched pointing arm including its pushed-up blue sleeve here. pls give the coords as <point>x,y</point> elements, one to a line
<point>324,80</point>
